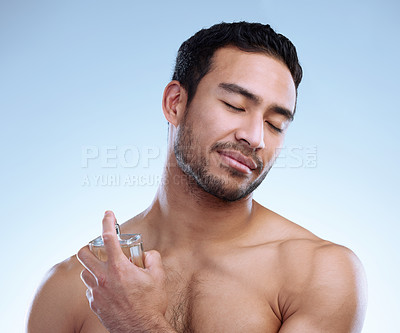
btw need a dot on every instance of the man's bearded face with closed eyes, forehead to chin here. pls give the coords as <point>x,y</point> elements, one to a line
<point>231,132</point>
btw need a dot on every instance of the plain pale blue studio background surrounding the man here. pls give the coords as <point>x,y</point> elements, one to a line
<point>75,74</point>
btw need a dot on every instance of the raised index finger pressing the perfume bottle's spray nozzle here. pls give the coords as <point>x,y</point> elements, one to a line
<point>110,238</point>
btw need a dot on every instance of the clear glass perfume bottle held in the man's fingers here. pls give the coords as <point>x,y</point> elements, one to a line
<point>131,245</point>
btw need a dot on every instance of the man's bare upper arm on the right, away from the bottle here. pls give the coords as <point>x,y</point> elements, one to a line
<point>333,299</point>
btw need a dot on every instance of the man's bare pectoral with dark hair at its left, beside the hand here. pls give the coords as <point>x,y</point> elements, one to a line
<point>219,302</point>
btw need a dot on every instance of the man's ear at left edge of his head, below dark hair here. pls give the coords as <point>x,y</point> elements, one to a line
<point>174,102</point>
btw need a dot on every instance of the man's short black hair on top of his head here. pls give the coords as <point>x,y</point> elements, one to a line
<point>195,55</point>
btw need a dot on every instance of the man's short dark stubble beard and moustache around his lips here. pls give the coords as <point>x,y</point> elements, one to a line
<point>194,164</point>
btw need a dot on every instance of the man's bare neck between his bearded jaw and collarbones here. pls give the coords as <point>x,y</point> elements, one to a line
<point>184,214</point>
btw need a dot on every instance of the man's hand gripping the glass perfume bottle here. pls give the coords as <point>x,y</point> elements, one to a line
<point>126,298</point>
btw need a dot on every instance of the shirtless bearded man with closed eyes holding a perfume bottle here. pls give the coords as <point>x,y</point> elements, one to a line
<point>216,260</point>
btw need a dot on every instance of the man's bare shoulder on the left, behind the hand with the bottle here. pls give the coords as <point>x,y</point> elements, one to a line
<point>60,304</point>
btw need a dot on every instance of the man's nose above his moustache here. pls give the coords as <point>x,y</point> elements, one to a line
<point>251,131</point>
